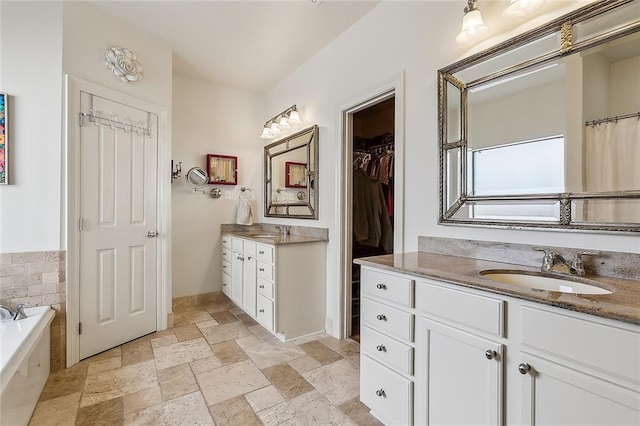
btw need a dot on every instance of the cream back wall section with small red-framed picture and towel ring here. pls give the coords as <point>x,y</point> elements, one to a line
<point>210,119</point>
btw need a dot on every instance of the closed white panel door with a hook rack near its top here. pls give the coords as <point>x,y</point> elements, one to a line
<point>118,198</point>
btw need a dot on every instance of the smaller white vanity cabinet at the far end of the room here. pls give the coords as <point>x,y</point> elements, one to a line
<point>282,286</point>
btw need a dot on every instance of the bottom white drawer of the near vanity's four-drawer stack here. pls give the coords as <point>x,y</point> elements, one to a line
<point>386,392</point>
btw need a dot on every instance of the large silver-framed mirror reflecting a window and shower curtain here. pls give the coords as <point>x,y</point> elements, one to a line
<point>543,130</point>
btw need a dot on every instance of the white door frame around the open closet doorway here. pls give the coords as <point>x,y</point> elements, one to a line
<point>394,87</point>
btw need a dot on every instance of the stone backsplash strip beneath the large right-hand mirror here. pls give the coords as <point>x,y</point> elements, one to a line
<point>607,263</point>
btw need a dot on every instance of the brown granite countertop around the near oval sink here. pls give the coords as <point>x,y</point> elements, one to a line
<point>622,305</point>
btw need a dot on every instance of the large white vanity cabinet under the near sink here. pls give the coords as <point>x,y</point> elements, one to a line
<point>484,358</point>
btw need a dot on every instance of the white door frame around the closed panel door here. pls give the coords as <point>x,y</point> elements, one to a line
<point>74,86</point>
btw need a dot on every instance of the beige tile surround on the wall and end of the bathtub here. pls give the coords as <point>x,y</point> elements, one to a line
<point>38,278</point>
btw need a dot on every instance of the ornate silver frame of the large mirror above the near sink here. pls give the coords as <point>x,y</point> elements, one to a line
<point>594,25</point>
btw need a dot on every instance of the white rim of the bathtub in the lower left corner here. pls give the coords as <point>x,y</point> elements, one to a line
<point>12,359</point>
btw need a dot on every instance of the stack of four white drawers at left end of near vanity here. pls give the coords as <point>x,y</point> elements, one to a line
<point>386,345</point>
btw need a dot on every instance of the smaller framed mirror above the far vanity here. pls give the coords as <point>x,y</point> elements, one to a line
<point>291,176</point>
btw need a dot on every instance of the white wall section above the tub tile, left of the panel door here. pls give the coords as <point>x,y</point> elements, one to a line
<point>31,74</point>
